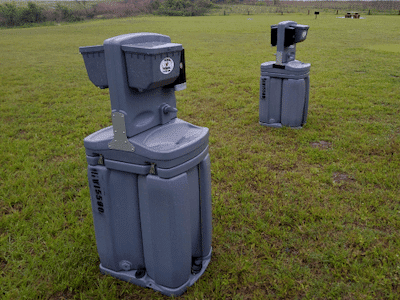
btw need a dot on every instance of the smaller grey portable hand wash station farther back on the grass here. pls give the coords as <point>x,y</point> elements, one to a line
<point>285,83</point>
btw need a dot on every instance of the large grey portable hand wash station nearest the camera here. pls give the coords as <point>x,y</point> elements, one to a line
<point>149,173</point>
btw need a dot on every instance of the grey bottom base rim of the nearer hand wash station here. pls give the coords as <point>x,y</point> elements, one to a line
<point>146,281</point>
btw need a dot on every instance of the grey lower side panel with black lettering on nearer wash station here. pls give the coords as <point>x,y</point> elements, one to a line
<point>115,208</point>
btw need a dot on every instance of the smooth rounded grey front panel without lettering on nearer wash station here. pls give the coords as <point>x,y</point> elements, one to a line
<point>165,213</point>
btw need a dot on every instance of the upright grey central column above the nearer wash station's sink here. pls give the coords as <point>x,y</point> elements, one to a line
<point>141,107</point>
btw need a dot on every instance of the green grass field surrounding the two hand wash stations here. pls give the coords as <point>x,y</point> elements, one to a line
<point>297,214</point>
